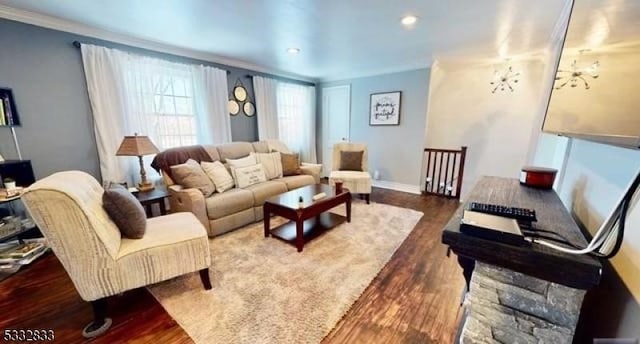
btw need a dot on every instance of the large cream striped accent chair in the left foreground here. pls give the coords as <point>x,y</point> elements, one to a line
<point>67,207</point>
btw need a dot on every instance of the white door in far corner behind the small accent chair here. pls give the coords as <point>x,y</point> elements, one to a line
<point>336,110</point>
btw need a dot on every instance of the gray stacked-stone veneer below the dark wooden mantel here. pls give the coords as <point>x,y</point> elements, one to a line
<point>505,306</point>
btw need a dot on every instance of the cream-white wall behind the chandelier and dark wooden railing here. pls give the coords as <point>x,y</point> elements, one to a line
<point>497,128</point>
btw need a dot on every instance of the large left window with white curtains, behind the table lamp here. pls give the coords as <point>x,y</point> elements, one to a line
<point>149,96</point>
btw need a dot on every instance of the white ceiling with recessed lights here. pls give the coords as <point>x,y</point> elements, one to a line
<point>338,39</point>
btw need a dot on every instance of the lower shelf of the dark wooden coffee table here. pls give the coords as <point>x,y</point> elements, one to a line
<point>313,227</point>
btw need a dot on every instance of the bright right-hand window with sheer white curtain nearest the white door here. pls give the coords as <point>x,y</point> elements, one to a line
<point>297,119</point>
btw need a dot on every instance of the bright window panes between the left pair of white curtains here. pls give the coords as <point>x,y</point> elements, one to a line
<point>168,105</point>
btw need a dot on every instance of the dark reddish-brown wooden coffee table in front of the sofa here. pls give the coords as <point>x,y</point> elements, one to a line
<point>309,221</point>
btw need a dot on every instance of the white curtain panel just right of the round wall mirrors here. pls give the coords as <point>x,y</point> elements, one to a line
<point>265,91</point>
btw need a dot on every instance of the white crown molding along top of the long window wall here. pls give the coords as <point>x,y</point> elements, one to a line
<point>59,24</point>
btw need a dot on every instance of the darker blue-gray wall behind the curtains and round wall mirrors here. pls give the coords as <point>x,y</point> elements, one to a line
<point>45,72</point>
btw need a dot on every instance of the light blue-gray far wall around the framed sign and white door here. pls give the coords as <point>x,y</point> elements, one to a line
<point>396,151</point>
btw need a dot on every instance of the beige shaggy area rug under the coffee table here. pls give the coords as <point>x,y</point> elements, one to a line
<point>264,291</point>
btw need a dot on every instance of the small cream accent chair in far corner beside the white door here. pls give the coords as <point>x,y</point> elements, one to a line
<point>358,182</point>
